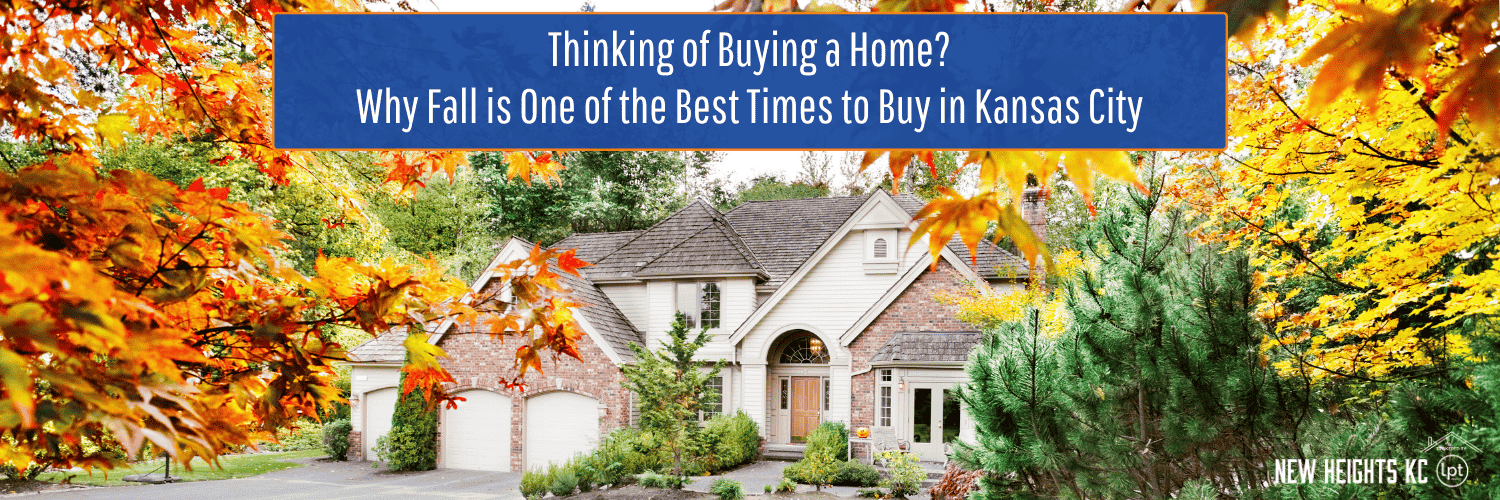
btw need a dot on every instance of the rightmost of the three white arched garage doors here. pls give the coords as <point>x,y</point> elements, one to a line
<point>560,426</point>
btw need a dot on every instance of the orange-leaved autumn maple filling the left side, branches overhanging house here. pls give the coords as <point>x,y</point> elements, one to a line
<point>136,310</point>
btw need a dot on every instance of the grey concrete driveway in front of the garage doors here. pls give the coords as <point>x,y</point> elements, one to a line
<point>323,481</point>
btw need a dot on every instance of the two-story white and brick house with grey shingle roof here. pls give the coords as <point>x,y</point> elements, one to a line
<point>821,307</point>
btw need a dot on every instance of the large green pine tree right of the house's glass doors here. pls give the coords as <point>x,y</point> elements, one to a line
<point>1156,382</point>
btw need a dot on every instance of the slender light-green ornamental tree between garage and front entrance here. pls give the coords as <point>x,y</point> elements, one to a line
<point>671,388</point>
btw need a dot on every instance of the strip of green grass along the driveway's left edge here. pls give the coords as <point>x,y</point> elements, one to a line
<point>236,466</point>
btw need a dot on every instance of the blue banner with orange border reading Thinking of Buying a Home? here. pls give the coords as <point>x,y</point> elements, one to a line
<point>544,82</point>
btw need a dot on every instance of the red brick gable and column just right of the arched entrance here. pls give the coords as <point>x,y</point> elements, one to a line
<point>916,310</point>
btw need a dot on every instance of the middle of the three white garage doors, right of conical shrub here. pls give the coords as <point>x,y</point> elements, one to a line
<point>478,435</point>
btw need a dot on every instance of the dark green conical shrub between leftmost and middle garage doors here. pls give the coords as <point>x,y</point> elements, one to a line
<point>413,441</point>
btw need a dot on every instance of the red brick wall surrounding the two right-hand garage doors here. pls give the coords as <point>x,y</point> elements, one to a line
<point>478,363</point>
